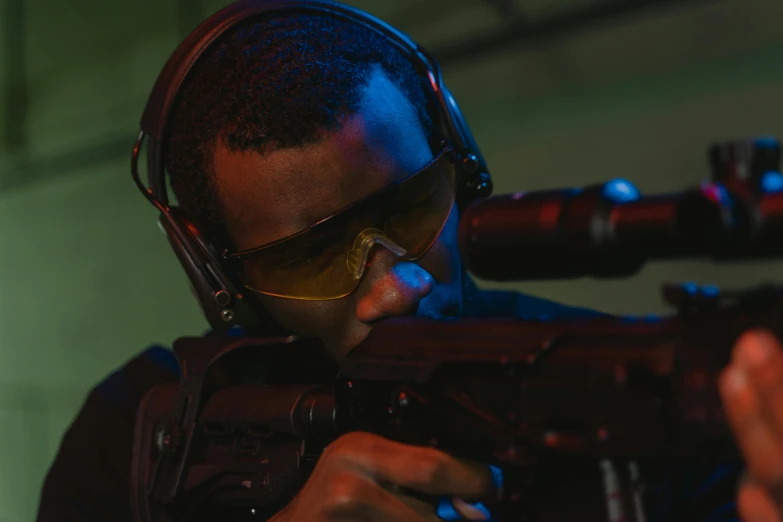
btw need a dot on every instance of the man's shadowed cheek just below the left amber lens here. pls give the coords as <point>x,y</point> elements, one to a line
<point>308,318</point>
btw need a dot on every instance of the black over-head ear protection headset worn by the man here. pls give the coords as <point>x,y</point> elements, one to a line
<point>217,291</point>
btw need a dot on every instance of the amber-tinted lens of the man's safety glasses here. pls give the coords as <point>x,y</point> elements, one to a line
<point>313,265</point>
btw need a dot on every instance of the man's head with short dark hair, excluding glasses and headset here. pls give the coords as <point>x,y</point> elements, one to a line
<point>287,120</point>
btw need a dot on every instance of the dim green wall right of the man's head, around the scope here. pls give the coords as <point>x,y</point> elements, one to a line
<point>641,102</point>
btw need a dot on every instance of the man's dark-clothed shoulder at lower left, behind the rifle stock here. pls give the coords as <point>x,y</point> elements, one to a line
<point>88,480</point>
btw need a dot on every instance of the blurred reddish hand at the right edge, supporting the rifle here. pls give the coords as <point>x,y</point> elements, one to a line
<point>752,391</point>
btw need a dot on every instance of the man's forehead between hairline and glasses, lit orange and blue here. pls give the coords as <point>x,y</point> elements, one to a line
<point>265,198</point>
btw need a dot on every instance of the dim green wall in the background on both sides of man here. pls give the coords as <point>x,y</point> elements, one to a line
<point>87,280</point>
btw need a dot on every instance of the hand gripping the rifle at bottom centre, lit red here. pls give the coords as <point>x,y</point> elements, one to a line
<point>359,477</point>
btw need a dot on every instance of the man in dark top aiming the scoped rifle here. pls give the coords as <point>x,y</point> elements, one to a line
<point>286,121</point>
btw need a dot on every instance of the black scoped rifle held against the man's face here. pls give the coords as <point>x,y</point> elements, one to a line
<point>518,394</point>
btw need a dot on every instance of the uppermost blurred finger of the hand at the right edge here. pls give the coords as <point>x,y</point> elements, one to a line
<point>759,354</point>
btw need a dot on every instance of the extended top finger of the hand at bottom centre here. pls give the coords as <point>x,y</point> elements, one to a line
<point>422,469</point>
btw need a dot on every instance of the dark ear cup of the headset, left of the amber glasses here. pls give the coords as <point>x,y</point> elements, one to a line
<point>224,306</point>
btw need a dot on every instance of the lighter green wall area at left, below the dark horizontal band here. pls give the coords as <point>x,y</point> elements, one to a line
<point>88,282</point>
